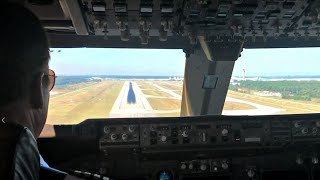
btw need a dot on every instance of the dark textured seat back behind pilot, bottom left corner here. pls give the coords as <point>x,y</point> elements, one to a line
<point>19,155</point>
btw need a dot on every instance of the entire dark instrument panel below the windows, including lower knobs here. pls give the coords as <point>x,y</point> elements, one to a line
<point>234,147</point>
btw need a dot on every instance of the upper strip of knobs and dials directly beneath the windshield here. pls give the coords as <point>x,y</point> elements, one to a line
<point>209,132</point>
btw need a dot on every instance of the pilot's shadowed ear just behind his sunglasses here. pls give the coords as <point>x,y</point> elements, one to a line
<point>36,96</point>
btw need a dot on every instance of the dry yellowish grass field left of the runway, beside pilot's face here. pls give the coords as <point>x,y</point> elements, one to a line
<point>93,100</point>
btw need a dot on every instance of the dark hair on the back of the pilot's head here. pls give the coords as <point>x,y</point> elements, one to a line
<point>24,50</point>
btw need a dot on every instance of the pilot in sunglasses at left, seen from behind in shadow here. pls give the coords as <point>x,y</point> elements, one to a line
<point>26,81</point>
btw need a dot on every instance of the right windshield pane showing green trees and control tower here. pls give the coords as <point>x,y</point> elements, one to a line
<point>275,81</point>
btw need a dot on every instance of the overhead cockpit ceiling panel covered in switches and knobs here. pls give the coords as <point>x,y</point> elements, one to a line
<point>179,23</point>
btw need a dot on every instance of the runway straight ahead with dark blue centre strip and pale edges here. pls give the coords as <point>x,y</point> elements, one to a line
<point>131,102</point>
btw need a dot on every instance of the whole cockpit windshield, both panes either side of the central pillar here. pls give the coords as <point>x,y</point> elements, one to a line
<point>103,83</point>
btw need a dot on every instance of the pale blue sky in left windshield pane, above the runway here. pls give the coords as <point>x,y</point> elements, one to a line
<point>99,61</point>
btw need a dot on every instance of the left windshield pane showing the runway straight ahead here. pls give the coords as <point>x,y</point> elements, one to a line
<point>103,83</point>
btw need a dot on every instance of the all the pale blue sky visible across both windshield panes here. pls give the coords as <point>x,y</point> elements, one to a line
<point>157,62</point>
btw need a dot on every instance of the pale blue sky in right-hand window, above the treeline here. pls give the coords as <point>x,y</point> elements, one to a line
<point>279,62</point>
